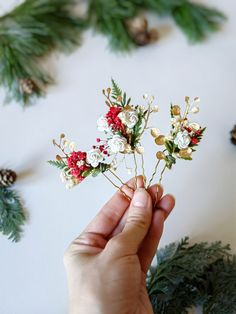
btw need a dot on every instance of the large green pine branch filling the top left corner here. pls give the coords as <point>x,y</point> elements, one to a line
<point>27,35</point>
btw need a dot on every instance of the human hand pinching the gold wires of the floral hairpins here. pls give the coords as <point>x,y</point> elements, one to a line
<point>107,264</point>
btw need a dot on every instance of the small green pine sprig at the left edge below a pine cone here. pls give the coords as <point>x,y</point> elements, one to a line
<point>12,216</point>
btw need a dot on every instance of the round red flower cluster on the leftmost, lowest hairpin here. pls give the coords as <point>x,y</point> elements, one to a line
<point>77,170</point>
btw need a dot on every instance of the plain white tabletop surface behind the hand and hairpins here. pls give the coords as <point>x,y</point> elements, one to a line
<point>32,274</point>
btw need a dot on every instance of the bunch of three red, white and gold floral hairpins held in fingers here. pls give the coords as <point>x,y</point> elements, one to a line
<point>123,126</point>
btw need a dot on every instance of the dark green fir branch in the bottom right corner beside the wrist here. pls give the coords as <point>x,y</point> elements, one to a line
<point>190,275</point>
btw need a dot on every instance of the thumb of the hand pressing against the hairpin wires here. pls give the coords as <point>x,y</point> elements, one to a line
<point>136,227</point>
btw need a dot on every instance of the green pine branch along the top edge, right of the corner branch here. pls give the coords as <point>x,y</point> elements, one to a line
<point>110,18</point>
